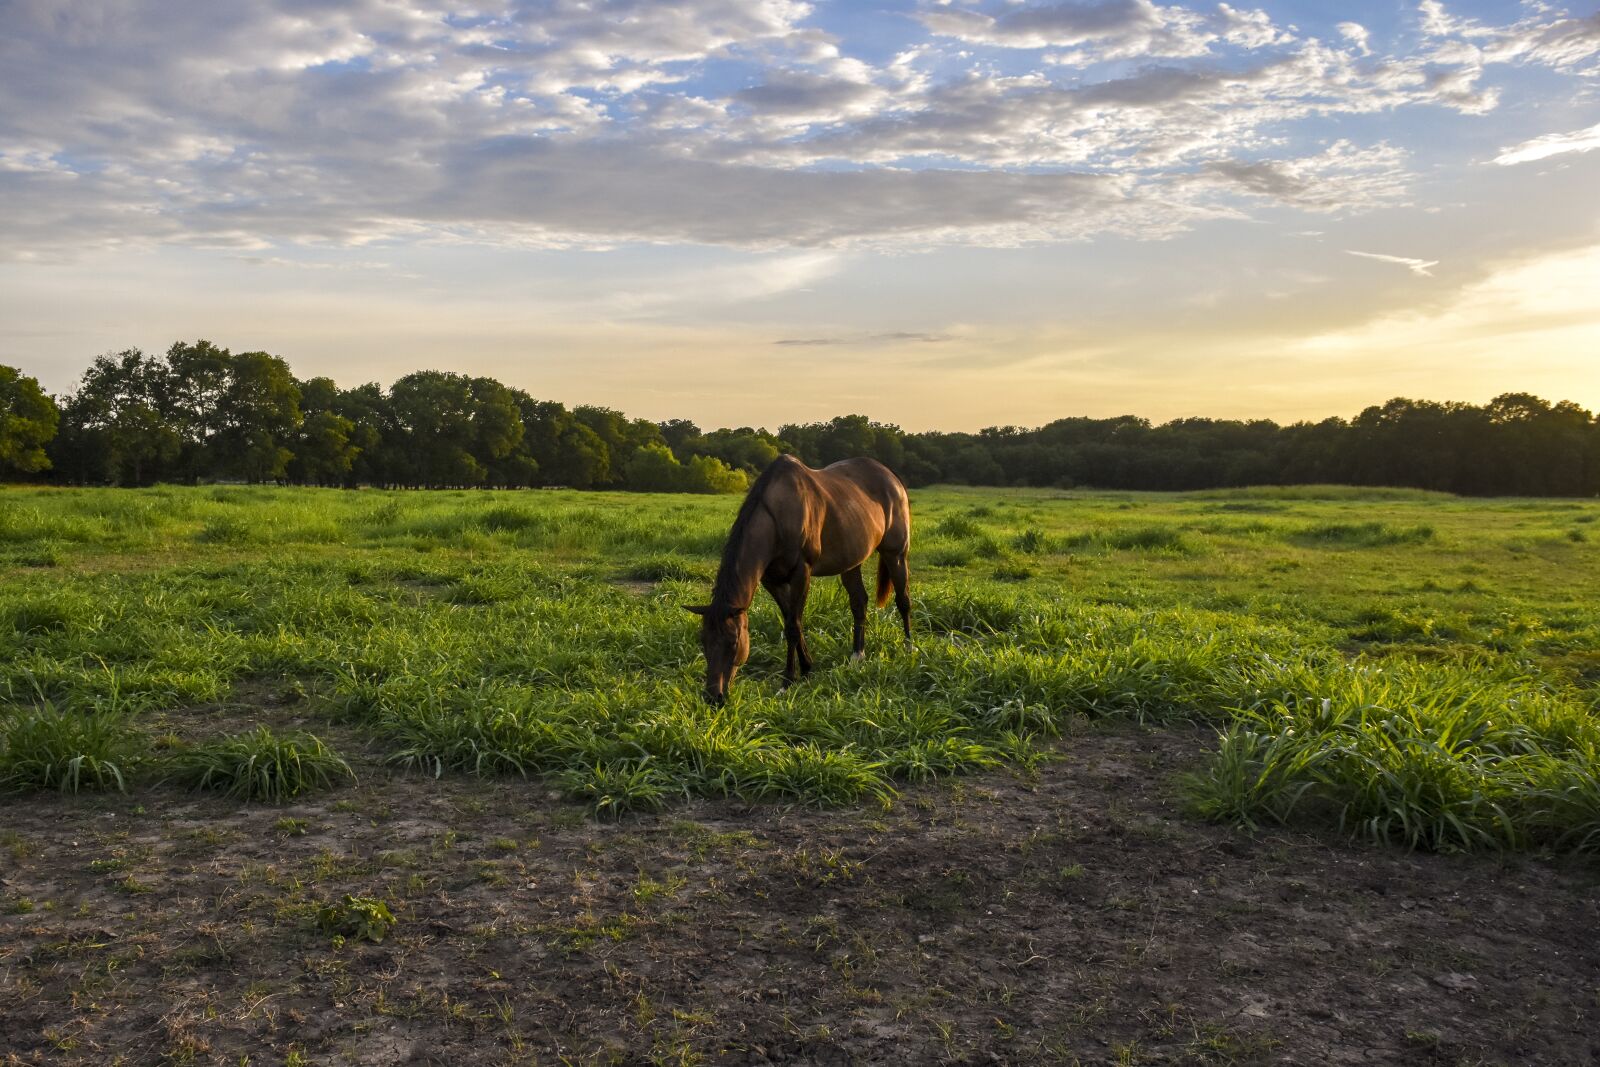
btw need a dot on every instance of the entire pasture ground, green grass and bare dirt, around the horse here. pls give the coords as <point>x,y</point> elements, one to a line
<point>1162,778</point>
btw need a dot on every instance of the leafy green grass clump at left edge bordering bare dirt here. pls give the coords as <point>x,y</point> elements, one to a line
<point>66,751</point>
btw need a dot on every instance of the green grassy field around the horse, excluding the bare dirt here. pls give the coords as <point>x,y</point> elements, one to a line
<point>1412,668</point>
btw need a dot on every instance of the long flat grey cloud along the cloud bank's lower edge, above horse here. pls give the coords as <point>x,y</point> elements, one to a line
<point>554,193</point>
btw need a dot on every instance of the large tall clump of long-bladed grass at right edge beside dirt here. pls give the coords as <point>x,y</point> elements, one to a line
<point>1431,761</point>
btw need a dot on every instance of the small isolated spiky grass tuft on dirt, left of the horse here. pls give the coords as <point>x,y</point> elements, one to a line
<point>262,765</point>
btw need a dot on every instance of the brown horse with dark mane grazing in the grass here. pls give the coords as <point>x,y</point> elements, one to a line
<point>798,524</point>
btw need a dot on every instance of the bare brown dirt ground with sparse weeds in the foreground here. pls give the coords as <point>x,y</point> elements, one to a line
<point>1076,916</point>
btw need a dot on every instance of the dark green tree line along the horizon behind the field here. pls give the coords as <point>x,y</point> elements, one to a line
<point>202,414</point>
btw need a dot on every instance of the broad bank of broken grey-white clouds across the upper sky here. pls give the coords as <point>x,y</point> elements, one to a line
<point>262,124</point>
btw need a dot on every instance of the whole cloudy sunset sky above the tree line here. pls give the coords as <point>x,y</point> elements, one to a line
<point>938,214</point>
